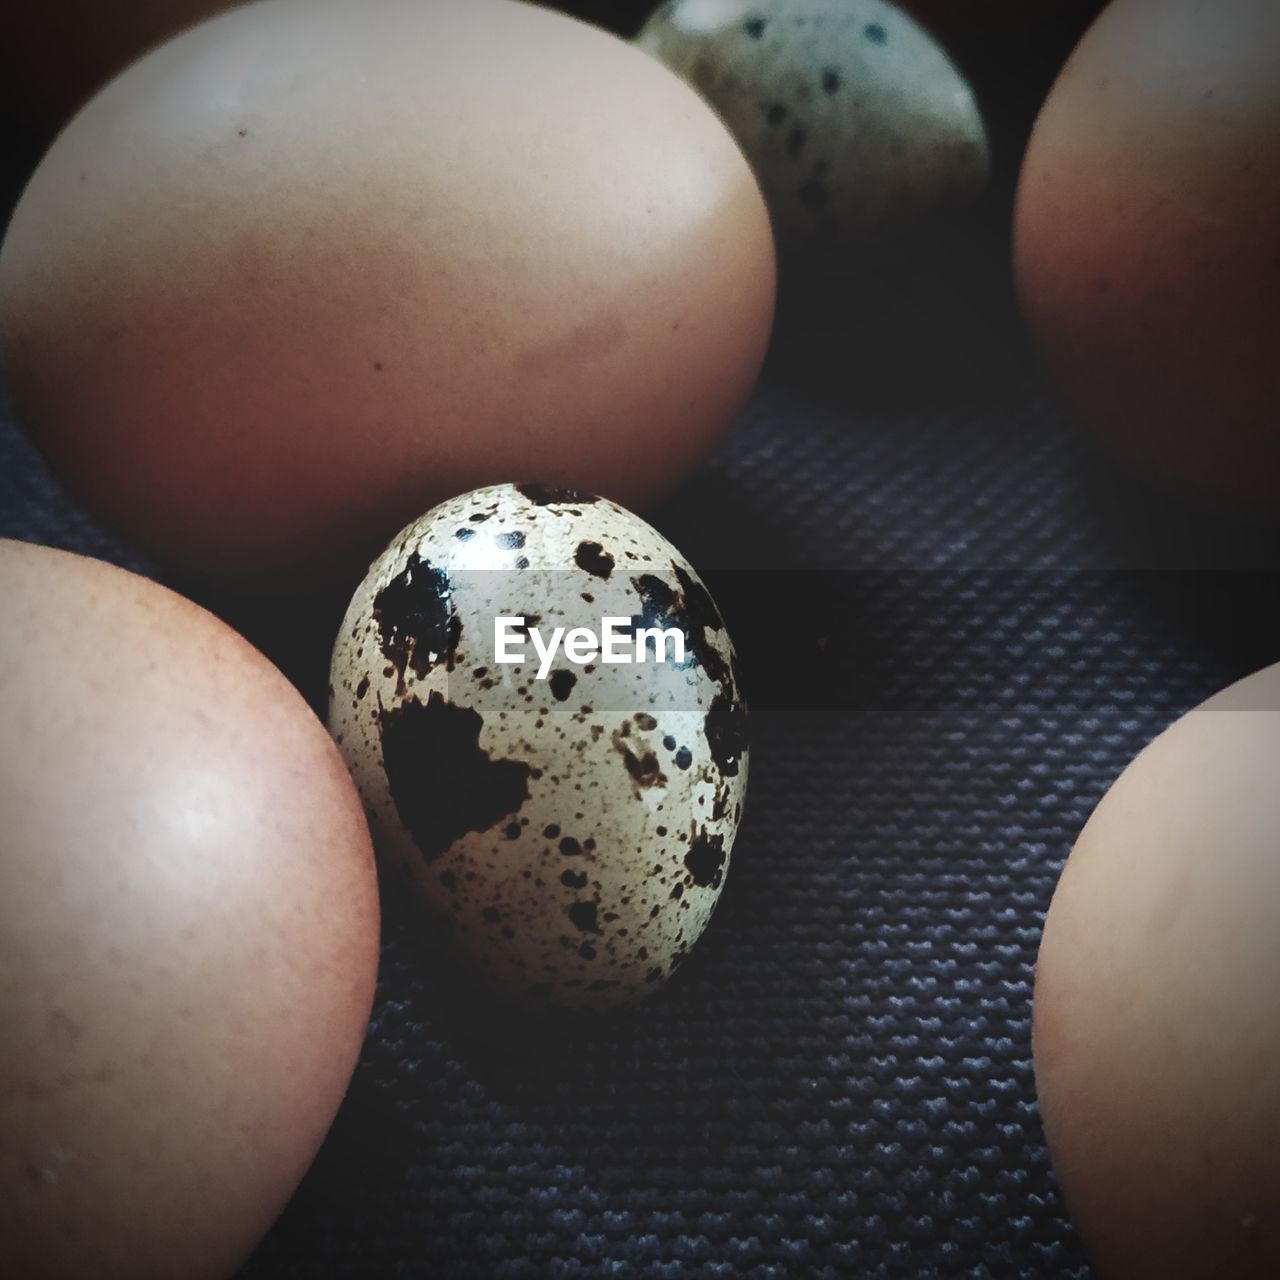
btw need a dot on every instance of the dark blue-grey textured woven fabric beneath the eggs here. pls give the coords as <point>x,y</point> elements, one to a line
<point>958,625</point>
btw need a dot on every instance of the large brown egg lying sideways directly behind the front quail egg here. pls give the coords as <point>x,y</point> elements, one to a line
<point>314,267</point>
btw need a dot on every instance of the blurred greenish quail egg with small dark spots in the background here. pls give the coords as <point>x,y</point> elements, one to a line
<point>851,113</point>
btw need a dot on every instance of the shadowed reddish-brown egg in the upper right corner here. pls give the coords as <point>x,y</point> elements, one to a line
<point>1148,244</point>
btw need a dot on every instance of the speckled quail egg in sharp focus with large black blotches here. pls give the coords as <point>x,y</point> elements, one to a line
<point>540,702</point>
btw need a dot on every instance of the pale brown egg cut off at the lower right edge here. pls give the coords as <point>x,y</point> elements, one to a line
<point>1156,1025</point>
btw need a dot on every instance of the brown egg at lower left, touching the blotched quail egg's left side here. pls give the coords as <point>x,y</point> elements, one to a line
<point>189,930</point>
